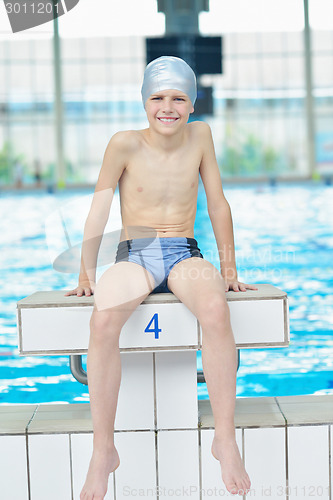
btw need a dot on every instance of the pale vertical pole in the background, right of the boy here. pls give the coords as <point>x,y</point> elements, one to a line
<point>309,95</point>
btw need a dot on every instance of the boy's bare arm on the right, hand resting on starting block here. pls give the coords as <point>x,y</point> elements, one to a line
<point>219,213</point>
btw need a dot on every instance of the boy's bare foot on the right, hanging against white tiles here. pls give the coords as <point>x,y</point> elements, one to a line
<point>234,474</point>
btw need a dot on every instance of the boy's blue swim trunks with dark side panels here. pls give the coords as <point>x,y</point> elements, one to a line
<point>158,256</point>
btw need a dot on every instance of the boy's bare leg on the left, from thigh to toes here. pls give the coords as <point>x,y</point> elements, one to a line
<point>118,293</point>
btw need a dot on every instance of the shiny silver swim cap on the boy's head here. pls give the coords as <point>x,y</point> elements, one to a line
<point>168,72</point>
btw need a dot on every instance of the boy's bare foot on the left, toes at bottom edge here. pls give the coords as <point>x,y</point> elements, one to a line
<point>102,463</point>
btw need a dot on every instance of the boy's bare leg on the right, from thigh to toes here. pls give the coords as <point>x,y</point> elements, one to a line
<point>200,286</point>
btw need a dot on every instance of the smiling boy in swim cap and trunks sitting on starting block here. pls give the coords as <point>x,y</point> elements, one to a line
<point>158,170</point>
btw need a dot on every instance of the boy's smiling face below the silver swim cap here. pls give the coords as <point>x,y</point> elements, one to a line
<point>168,110</point>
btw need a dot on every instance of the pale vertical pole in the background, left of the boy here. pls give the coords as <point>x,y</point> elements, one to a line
<point>60,174</point>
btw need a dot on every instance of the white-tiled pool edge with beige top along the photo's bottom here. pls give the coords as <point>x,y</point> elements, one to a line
<point>285,442</point>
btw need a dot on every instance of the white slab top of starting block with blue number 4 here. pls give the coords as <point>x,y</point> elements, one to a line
<point>51,324</point>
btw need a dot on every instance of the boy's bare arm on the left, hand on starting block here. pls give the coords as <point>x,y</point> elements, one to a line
<point>114,163</point>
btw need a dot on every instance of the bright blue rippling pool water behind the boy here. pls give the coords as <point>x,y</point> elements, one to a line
<point>283,236</point>
